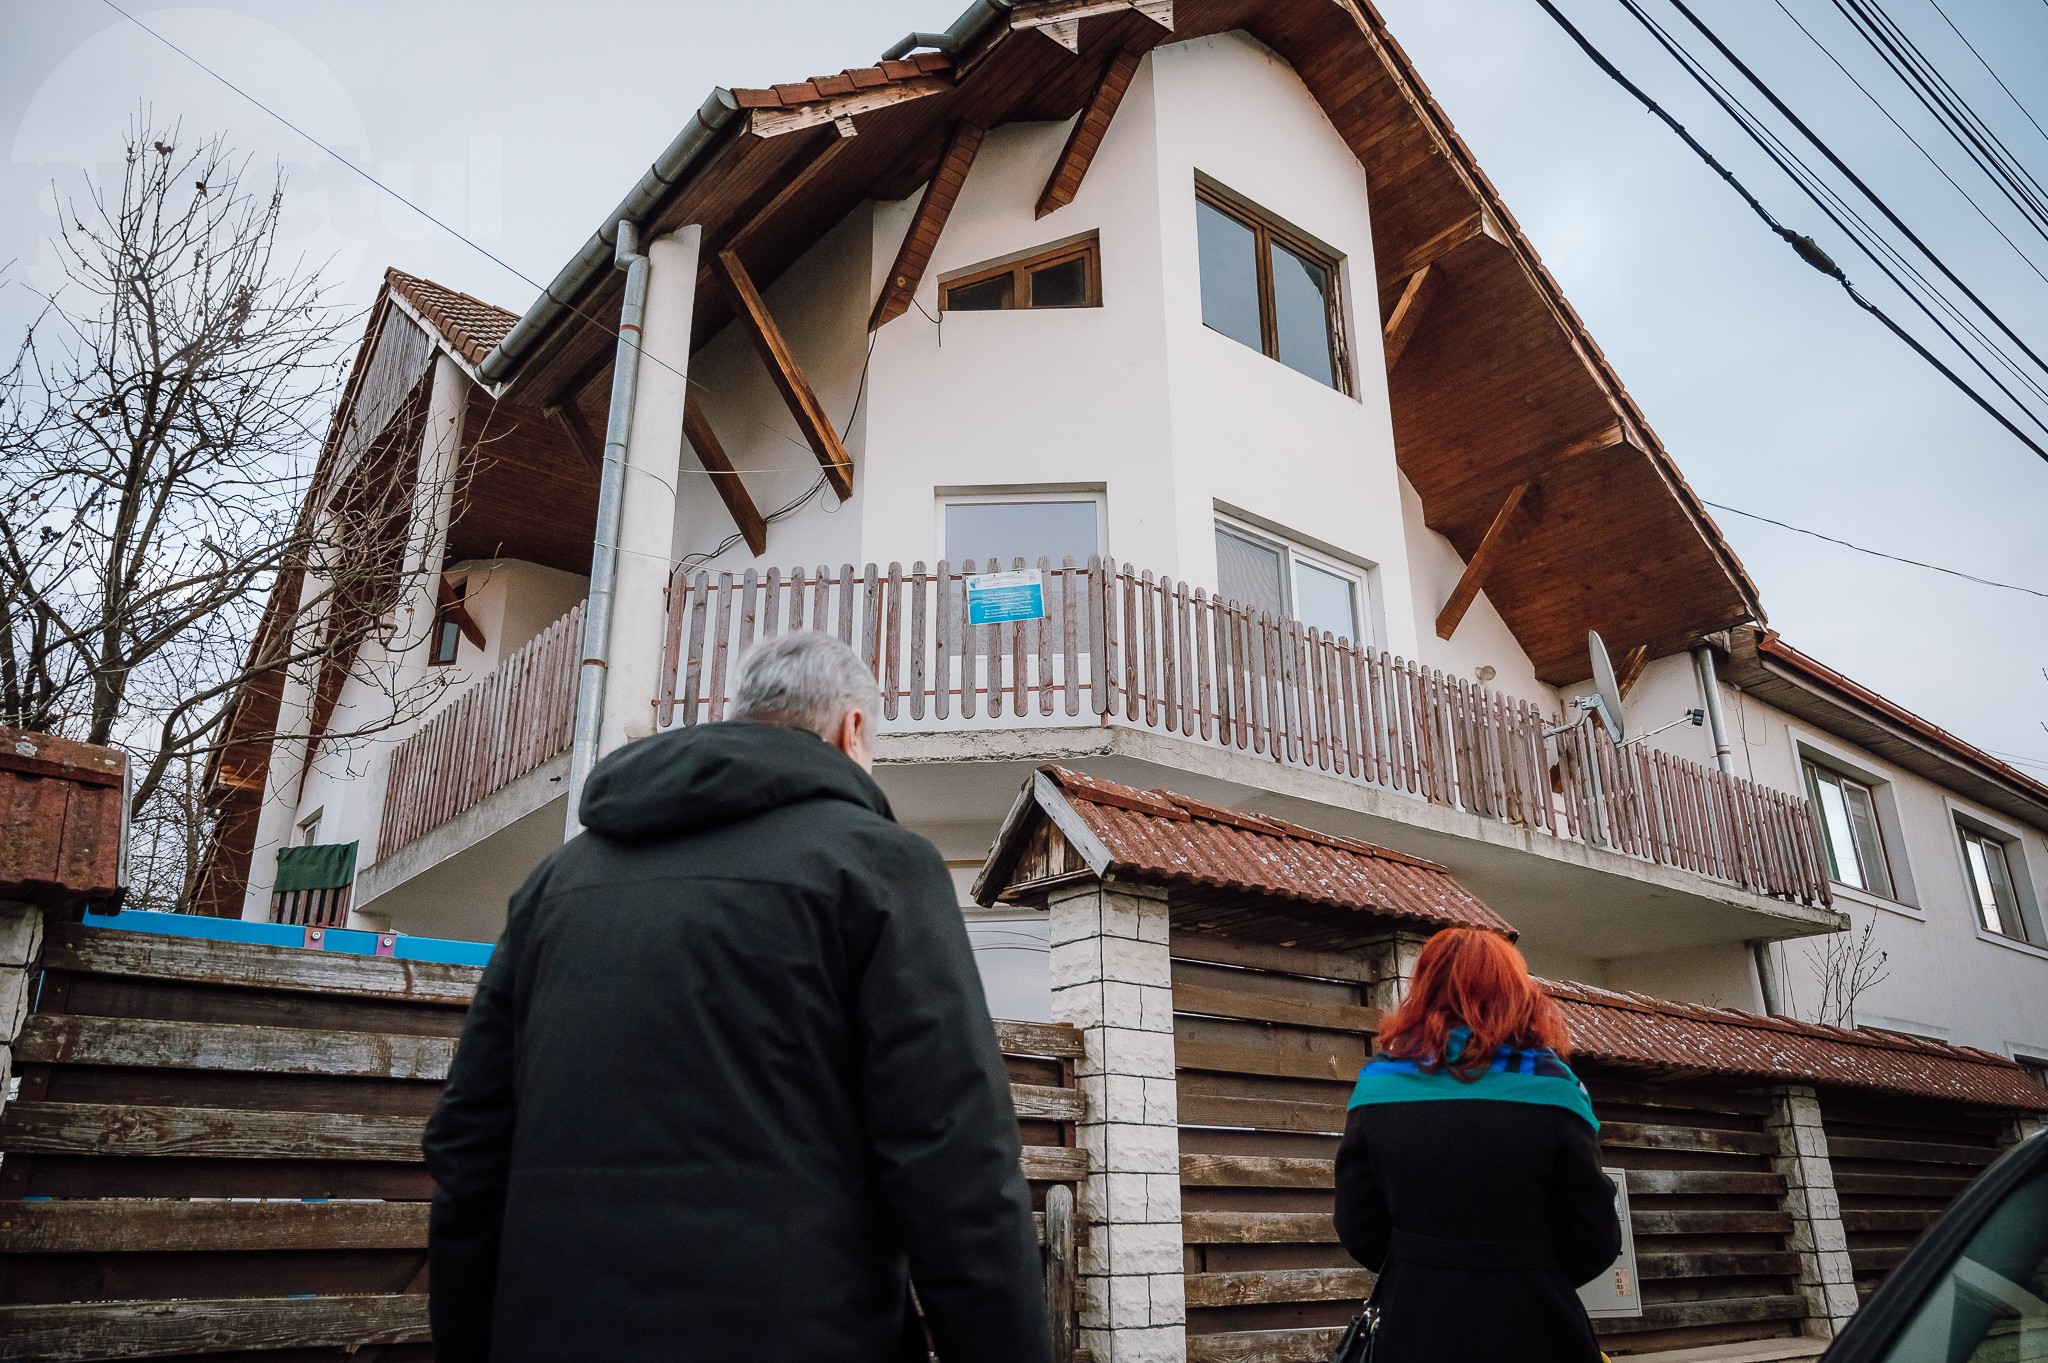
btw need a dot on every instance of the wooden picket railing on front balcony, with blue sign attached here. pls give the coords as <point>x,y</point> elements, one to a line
<point>1127,648</point>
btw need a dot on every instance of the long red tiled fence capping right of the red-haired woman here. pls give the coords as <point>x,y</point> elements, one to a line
<point>1687,1037</point>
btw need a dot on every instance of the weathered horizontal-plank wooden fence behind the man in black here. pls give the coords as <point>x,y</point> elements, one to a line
<point>216,1151</point>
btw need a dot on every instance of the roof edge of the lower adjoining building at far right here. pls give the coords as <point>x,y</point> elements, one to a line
<point>1779,674</point>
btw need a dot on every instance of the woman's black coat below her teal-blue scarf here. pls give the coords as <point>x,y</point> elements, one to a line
<point>1431,1192</point>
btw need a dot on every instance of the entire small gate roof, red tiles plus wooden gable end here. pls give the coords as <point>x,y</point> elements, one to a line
<point>1224,863</point>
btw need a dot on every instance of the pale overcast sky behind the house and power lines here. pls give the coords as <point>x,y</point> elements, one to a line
<point>525,124</point>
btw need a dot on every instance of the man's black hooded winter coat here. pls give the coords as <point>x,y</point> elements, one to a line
<point>728,1082</point>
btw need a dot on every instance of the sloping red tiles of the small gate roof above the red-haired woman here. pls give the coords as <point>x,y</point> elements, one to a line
<point>1164,838</point>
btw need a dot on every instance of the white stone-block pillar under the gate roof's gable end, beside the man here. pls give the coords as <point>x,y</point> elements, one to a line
<point>1113,979</point>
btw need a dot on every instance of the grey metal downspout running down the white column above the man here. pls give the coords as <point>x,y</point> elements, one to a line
<point>611,504</point>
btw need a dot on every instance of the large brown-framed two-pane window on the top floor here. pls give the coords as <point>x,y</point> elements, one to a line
<point>1269,288</point>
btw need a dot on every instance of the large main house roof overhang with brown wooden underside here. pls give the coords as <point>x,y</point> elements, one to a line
<point>1500,384</point>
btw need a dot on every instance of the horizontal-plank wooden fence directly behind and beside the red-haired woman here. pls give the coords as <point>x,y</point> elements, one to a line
<point>1267,1047</point>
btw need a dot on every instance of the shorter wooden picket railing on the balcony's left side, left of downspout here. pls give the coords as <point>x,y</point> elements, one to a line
<point>488,738</point>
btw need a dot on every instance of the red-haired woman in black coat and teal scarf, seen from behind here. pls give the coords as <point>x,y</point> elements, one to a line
<point>1469,1176</point>
